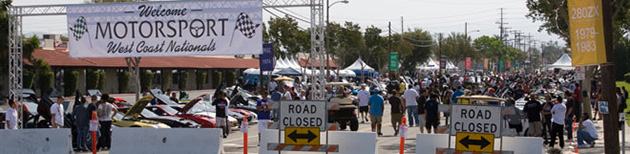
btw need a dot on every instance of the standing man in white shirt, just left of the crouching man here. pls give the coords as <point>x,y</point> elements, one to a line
<point>557,127</point>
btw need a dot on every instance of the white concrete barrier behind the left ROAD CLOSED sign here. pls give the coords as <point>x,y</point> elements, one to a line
<point>349,142</point>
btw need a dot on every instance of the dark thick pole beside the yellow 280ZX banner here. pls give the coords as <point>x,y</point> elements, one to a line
<point>611,128</point>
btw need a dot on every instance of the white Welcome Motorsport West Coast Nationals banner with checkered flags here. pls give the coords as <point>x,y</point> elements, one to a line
<point>159,29</point>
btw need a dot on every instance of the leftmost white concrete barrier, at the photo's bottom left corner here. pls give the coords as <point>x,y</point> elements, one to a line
<point>36,141</point>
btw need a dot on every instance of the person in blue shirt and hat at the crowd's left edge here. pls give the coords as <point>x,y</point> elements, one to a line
<point>377,104</point>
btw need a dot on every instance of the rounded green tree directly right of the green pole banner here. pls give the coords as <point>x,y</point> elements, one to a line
<point>422,43</point>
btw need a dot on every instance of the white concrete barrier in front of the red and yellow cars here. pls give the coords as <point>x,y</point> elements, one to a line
<point>166,141</point>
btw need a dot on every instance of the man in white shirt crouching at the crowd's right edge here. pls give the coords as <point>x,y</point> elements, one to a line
<point>587,132</point>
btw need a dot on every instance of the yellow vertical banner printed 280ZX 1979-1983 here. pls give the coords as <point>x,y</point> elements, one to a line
<point>586,28</point>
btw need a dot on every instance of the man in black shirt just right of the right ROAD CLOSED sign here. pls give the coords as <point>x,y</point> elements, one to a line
<point>532,110</point>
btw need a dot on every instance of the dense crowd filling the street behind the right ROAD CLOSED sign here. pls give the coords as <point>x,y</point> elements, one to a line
<point>553,108</point>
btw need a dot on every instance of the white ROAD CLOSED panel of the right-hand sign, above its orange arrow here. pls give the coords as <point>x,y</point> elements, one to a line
<point>476,119</point>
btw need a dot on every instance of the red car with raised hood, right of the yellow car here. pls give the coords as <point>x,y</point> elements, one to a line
<point>165,110</point>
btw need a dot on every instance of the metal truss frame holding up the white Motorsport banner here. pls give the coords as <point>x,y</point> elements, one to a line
<point>318,80</point>
